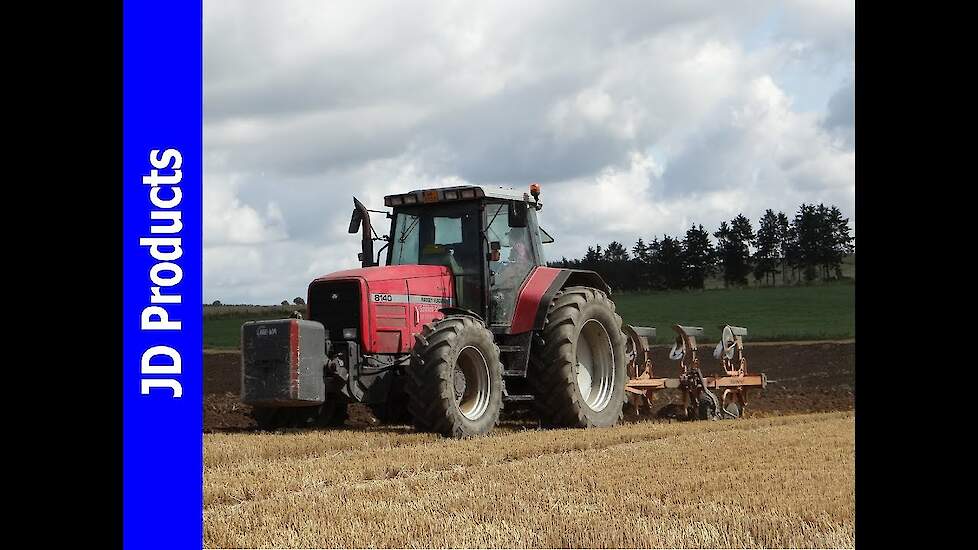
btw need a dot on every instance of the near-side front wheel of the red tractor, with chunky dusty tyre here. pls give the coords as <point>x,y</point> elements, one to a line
<point>455,343</point>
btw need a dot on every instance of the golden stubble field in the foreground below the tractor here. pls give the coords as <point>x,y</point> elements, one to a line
<point>761,482</point>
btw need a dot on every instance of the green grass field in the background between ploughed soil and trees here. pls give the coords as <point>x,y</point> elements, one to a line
<point>820,312</point>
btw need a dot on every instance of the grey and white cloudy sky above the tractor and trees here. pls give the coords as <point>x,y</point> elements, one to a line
<point>637,118</point>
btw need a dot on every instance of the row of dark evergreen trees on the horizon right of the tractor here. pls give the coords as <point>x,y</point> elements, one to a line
<point>810,246</point>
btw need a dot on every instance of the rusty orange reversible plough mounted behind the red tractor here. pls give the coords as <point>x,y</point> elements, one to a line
<point>698,398</point>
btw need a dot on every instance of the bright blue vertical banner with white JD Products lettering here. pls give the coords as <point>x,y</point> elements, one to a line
<point>162,275</point>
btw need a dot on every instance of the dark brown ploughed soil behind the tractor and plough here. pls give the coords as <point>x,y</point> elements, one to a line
<point>802,377</point>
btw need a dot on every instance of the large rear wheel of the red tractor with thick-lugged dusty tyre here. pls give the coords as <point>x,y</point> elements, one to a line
<point>554,364</point>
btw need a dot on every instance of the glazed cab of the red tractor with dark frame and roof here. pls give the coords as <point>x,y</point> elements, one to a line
<point>487,237</point>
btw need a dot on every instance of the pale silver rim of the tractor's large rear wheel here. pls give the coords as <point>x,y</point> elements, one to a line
<point>595,365</point>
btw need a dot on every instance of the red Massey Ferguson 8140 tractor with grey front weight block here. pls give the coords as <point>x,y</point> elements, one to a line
<point>463,317</point>
